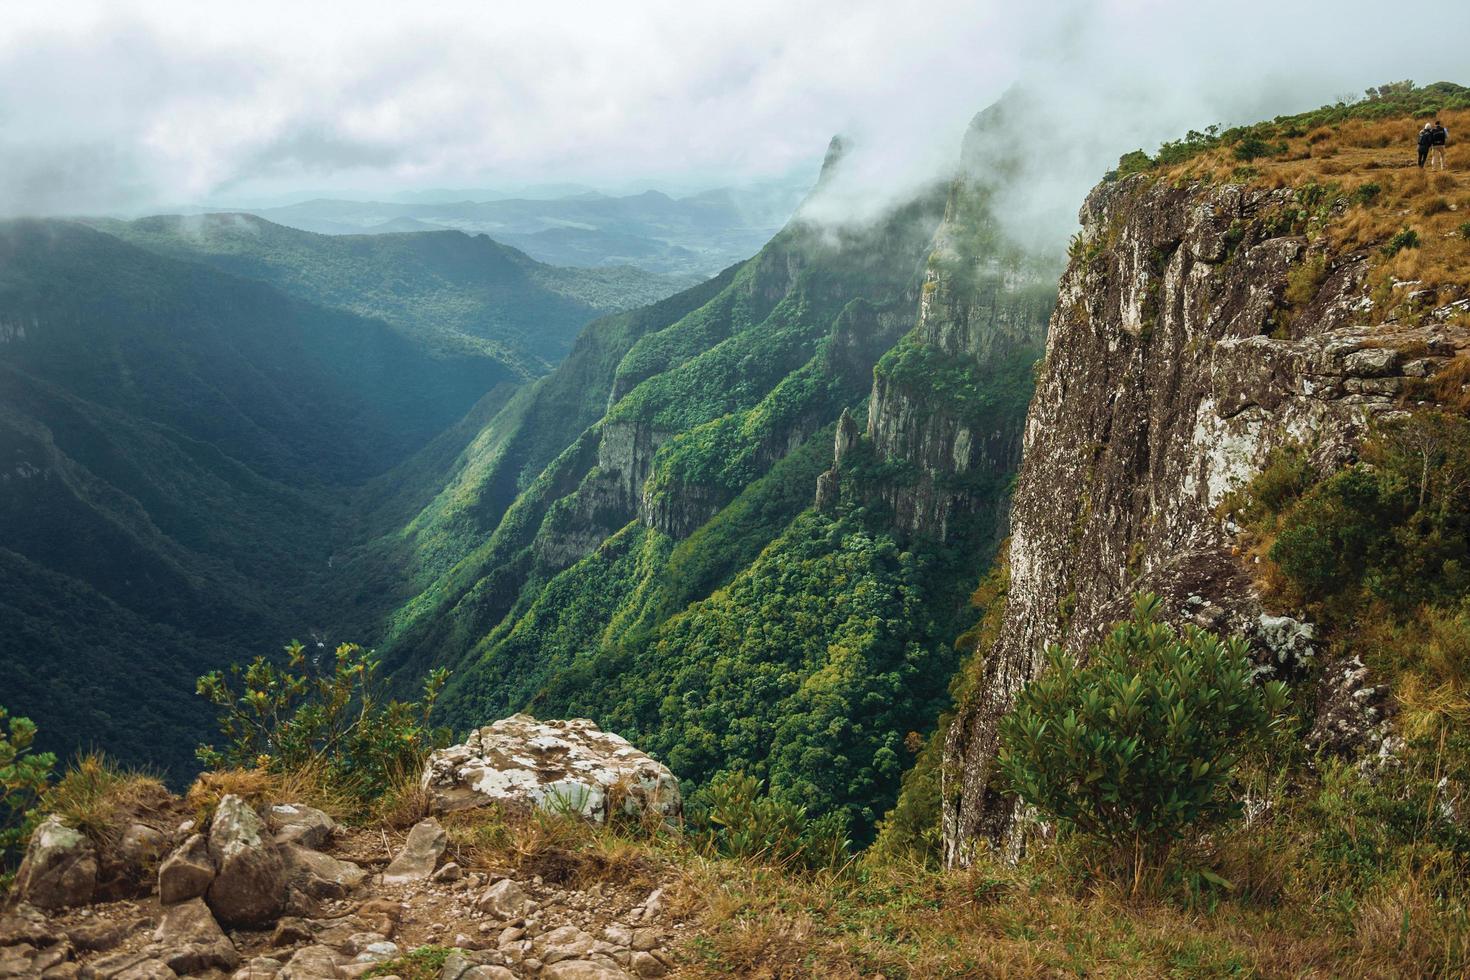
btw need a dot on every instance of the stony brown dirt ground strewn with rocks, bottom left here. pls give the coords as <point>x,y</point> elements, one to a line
<point>351,913</point>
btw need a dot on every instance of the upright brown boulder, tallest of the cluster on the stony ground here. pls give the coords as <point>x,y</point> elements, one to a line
<point>249,887</point>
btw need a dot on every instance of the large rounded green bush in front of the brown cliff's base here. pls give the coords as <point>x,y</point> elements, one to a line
<point>1137,750</point>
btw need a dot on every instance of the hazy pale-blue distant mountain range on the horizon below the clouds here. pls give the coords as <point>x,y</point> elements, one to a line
<point>692,237</point>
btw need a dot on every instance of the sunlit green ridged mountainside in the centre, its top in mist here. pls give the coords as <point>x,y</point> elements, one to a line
<point>670,572</point>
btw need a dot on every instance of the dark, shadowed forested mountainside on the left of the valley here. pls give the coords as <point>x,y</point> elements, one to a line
<point>179,458</point>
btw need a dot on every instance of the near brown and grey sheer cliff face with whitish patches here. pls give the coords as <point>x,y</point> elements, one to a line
<point>1175,367</point>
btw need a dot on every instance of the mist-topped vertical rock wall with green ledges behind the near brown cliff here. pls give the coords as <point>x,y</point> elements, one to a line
<point>949,402</point>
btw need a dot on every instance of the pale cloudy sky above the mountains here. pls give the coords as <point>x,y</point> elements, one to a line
<point>132,105</point>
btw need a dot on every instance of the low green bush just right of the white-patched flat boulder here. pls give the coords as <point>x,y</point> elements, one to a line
<point>740,822</point>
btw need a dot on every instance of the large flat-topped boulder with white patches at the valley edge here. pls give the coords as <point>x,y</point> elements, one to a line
<point>565,766</point>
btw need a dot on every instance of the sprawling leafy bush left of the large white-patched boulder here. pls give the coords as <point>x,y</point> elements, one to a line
<point>326,718</point>
